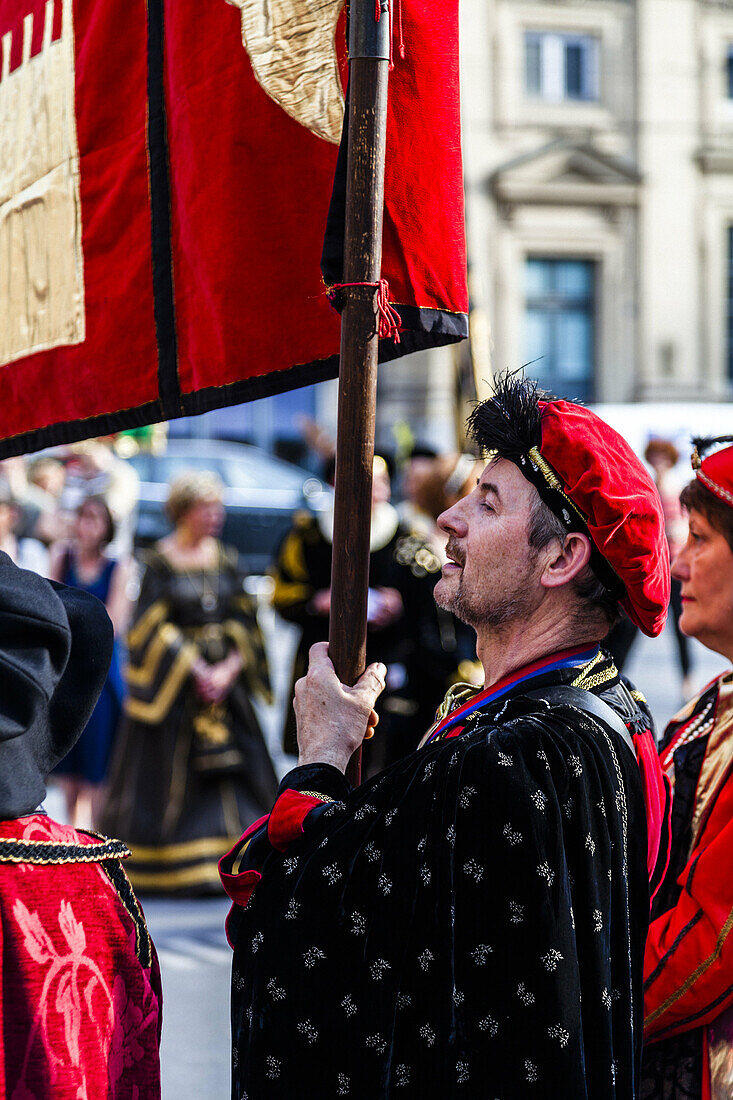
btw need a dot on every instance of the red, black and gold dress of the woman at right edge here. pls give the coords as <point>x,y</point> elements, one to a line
<point>690,953</point>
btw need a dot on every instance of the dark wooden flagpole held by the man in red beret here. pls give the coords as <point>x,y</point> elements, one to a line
<point>369,64</point>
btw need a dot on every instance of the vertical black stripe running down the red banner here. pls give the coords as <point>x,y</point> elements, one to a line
<point>160,195</point>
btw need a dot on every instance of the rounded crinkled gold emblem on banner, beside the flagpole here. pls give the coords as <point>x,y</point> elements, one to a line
<point>292,48</point>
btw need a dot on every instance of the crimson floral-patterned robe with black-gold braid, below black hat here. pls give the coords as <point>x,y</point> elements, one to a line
<point>81,983</point>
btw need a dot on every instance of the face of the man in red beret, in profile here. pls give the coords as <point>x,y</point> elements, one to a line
<point>494,575</point>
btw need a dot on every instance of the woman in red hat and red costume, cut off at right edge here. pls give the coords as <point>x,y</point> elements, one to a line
<point>688,1003</point>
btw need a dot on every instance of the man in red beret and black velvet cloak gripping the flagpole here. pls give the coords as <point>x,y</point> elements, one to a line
<point>472,922</point>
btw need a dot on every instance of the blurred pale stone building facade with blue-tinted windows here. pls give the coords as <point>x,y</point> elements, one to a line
<point>599,161</point>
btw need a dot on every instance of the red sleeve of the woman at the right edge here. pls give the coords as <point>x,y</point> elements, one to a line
<point>688,967</point>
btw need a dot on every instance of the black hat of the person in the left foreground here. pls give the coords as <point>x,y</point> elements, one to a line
<point>56,651</point>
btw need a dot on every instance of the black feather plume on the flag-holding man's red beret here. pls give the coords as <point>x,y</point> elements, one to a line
<point>510,421</point>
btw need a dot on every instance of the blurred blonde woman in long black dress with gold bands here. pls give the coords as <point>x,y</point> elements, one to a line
<point>192,769</point>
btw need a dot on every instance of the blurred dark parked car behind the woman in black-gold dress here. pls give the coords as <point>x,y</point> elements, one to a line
<point>261,494</point>
